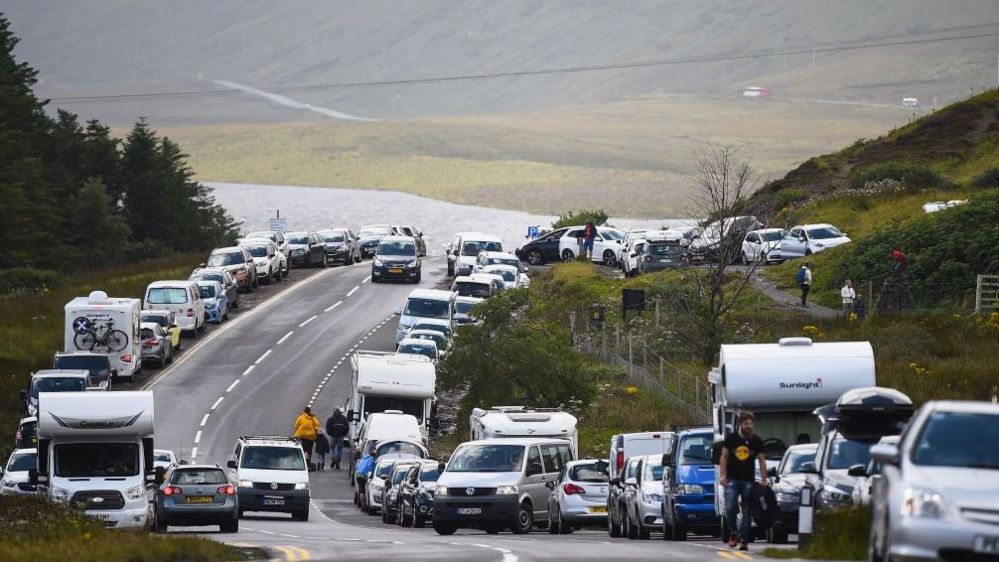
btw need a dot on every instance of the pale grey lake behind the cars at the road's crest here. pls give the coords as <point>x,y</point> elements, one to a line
<point>316,208</point>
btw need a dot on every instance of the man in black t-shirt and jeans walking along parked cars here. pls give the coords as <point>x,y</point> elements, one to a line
<point>736,472</point>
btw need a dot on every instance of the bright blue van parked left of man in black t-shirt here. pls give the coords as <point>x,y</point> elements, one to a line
<point>689,485</point>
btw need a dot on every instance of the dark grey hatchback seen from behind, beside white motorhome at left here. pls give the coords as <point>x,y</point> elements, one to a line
<point>195,495</point>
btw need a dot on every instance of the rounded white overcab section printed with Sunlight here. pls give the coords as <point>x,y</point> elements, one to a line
<point>795,372</point>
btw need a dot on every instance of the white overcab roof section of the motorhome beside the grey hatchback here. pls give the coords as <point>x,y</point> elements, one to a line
<point>91,415</point>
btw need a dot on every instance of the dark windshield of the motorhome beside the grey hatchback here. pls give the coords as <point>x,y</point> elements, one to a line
<point>91,460</point>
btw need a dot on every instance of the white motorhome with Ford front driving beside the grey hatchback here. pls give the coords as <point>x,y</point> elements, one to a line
<point>95,453</point>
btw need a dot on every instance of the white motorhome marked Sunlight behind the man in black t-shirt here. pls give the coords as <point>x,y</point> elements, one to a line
<point>783,384</point>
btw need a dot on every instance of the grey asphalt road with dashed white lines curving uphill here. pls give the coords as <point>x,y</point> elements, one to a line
<point>254,374</point>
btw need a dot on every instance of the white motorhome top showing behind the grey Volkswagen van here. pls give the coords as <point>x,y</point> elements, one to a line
<point>501,422</point>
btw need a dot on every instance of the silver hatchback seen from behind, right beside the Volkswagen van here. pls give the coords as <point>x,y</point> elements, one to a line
<point>579,496</point>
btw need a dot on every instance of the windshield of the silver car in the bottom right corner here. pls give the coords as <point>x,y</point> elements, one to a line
<point>959,439</point>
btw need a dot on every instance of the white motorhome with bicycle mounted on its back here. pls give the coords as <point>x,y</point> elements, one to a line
<point>107,325</point>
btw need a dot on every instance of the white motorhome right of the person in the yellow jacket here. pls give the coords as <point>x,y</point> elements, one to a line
<point>384,381</point>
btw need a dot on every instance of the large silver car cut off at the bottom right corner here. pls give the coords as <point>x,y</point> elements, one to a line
<point>938,494</point>
